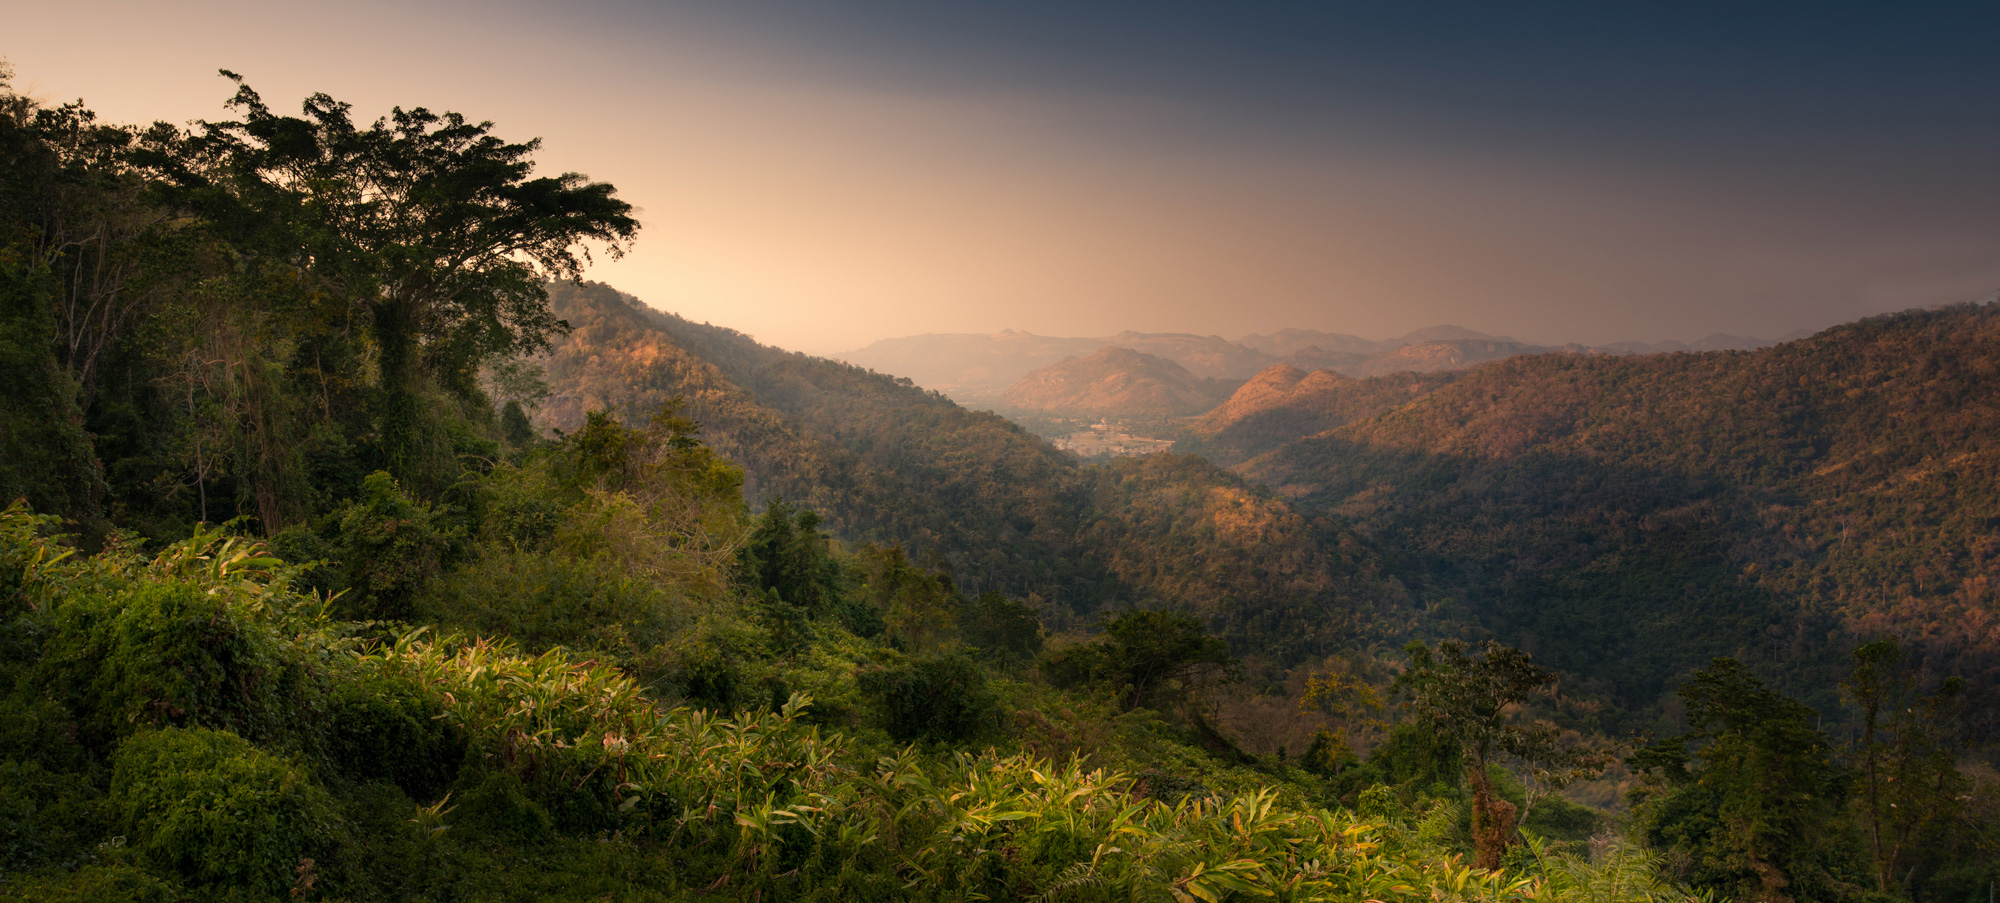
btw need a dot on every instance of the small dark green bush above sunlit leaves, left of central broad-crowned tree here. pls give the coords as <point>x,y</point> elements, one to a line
<point>935,700</point>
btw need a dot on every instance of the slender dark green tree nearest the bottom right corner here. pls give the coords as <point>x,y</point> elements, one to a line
<point>1911,788</point>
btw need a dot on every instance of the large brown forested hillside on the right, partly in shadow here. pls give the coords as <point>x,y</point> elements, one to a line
<point>1631,518</point>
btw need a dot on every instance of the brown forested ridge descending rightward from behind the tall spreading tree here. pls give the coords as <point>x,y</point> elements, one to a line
<point>891,462</point>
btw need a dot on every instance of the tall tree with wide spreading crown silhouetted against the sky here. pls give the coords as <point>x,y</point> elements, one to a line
<point>427,225</point>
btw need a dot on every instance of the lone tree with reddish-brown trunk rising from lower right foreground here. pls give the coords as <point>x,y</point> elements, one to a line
<point>1475,700</point>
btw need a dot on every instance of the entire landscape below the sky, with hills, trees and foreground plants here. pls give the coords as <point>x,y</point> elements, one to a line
<point>359,546</point>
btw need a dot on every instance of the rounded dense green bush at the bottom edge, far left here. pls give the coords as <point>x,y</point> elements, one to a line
<point>219,812</point>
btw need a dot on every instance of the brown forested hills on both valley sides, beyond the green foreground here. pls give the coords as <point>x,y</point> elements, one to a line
<point>1623,516</point>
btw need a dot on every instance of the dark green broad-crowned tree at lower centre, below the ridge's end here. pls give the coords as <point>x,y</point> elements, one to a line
<point>1155,658</point>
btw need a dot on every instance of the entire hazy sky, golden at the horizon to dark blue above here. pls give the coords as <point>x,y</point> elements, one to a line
<point>823,175</point>
